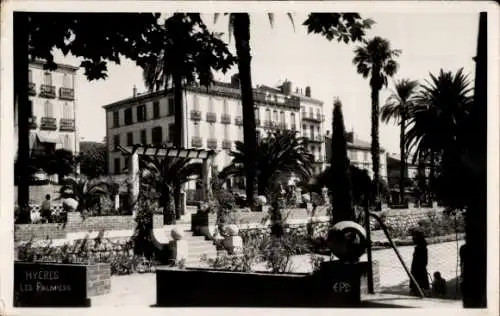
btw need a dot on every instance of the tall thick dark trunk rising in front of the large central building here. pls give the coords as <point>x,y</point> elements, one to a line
<point>241,29</point>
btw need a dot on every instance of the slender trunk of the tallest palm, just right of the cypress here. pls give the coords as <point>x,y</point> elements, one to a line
<point>375,148</point>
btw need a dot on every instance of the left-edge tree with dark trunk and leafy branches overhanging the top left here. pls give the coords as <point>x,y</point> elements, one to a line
<point>95,38</point>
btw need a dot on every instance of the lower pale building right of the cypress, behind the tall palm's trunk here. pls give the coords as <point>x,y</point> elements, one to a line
<point>359,153</point>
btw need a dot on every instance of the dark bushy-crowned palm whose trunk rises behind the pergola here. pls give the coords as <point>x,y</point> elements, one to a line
<point>190,54</point>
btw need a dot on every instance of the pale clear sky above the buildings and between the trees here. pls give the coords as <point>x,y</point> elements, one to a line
<point>429,42</point>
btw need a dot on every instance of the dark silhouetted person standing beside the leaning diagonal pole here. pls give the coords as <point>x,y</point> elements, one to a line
<point>419,263</point>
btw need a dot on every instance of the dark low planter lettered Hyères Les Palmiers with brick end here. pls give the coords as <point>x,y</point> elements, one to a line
<point>39,284</point>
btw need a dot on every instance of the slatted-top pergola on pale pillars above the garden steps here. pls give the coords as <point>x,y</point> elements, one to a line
<point>167,152</point>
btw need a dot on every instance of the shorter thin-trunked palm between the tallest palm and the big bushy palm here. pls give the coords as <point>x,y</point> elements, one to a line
<point>396,108</point>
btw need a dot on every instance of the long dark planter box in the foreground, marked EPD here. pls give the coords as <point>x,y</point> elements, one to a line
<point>217,288</point>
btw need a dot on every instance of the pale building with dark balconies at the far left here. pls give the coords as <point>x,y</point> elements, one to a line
<point>53,109</point>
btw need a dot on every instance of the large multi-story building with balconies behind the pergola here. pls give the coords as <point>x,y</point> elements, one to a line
<point>213,118</point>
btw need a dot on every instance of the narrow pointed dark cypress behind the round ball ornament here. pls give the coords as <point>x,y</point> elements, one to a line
<point>340,179</point>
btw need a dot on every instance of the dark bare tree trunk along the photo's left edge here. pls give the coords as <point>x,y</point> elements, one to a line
<point>21,68</point>
